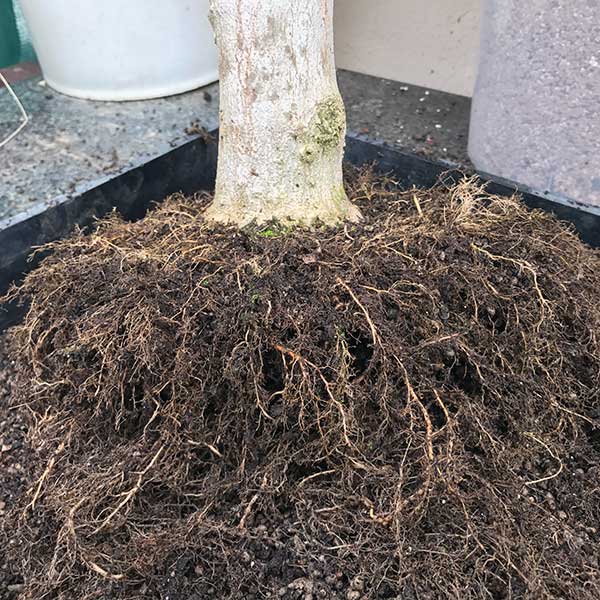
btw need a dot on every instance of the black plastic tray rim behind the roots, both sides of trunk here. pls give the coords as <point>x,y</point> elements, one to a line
<point>192,167</point>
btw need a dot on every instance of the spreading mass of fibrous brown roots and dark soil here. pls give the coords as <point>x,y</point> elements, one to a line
<point>402,408</point>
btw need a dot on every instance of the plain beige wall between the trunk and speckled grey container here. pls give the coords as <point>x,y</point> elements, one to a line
<point>432,43</point>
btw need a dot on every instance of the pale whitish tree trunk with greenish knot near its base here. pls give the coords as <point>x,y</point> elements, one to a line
<point>282,121</point>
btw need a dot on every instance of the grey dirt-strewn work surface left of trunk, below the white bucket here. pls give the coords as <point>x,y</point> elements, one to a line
<point>73,145</point>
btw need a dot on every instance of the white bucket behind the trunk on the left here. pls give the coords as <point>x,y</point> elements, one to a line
<point>123,49</point>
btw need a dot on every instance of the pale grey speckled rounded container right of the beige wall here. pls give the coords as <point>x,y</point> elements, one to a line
<point>536,108</point>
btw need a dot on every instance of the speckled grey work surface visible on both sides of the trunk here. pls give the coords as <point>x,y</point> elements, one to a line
<point>73,145</point>
